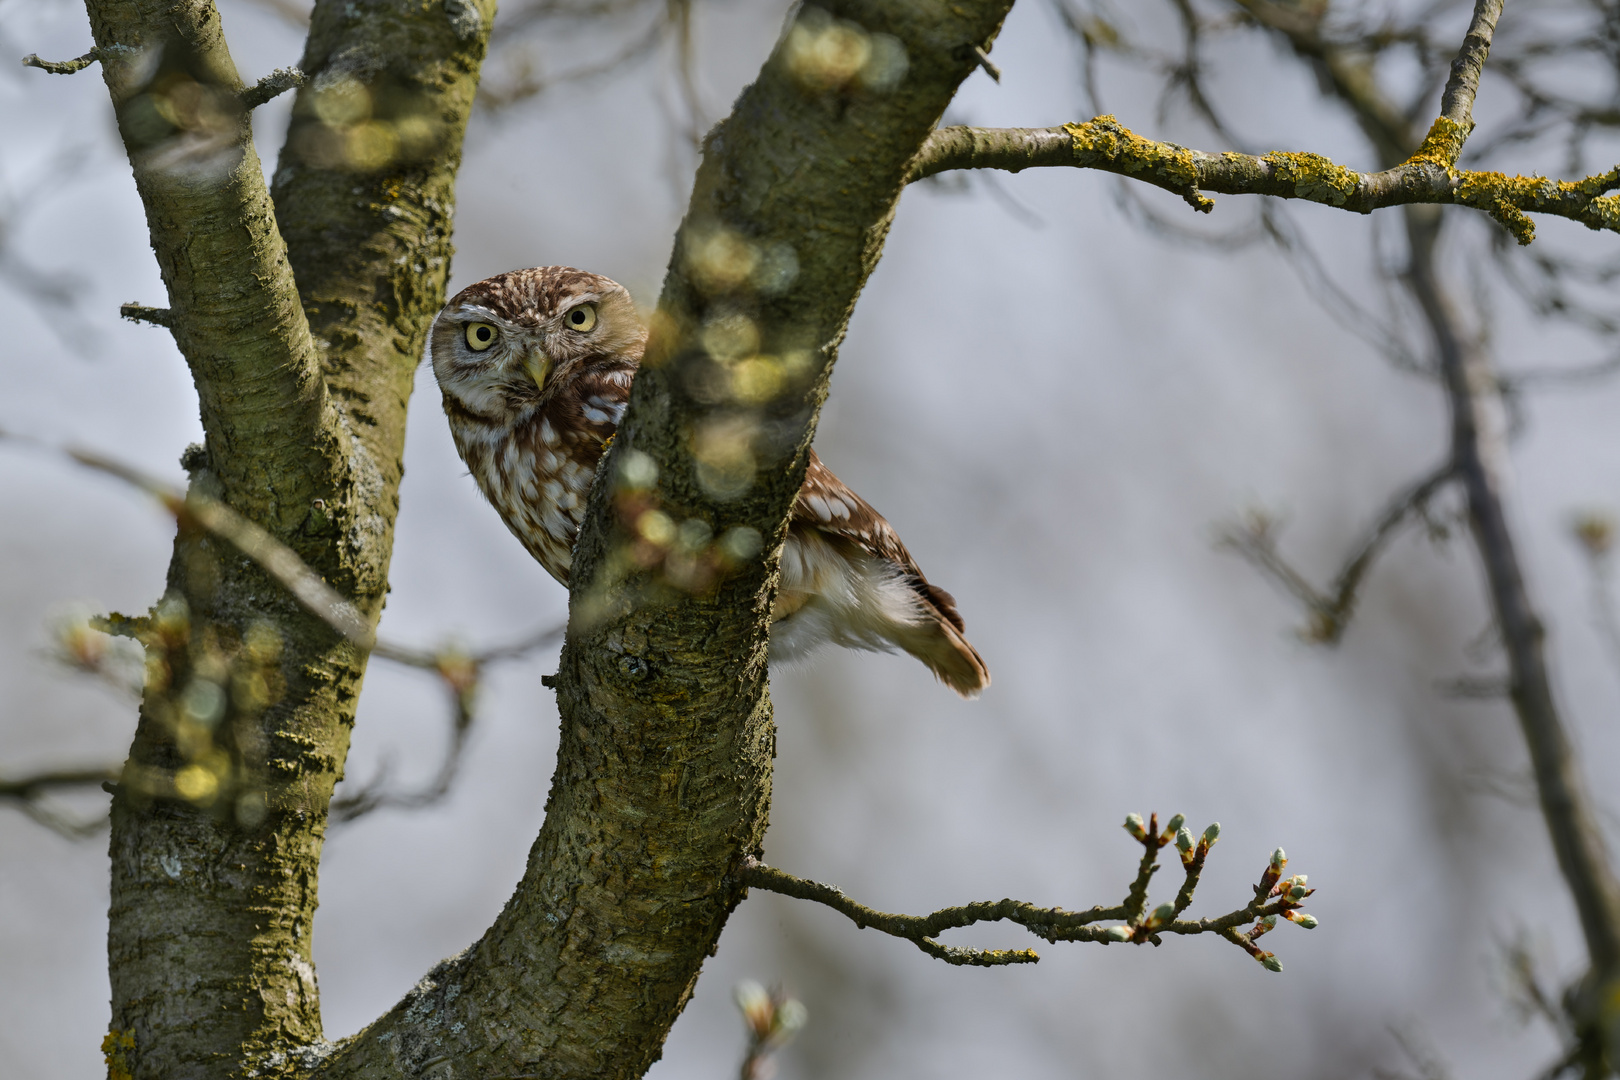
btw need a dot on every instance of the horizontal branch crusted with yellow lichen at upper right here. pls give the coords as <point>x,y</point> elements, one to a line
<point>1109,147</point>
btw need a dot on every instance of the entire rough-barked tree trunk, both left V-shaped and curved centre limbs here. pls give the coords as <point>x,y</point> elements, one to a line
<point>304,326</point>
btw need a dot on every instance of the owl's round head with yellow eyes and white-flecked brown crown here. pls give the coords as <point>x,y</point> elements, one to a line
<point>511,341</point>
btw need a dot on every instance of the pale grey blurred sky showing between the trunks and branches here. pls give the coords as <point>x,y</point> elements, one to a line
<point>1057,412</point>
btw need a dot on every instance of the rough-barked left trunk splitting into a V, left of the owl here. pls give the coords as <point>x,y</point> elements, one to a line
<point>213,899</point>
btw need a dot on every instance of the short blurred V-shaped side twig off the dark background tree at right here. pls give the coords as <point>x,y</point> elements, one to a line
<point>1331,613</point>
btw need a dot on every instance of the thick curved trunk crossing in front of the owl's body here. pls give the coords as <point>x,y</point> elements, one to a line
<point>665,762</point>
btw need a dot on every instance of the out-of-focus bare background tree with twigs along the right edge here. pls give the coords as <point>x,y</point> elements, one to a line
<point>1345,51</point>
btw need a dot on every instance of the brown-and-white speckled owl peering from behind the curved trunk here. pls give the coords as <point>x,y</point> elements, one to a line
<point>535,370</point>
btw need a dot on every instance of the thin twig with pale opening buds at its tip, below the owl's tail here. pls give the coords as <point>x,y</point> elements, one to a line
<point>1274,898</point>
